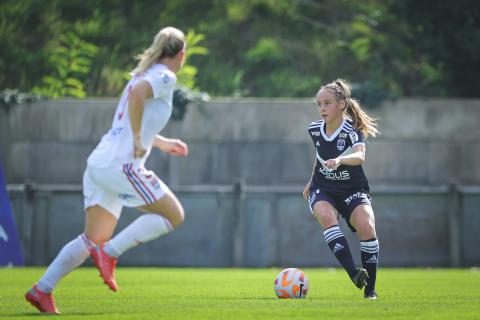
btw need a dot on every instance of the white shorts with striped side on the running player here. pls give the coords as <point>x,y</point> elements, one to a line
<point>115,187</point>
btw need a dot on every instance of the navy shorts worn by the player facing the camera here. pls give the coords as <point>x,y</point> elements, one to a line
<point>343,203</point>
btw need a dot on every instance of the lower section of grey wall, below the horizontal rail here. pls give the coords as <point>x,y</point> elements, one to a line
<point>262,227</point>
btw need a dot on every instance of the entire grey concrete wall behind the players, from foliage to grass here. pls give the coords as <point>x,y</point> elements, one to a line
<point>263,143</point>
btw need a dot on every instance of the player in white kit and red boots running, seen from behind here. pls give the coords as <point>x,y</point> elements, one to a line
<point>115,175</point>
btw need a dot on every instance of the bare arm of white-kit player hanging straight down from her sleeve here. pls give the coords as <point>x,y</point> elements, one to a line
<point>136,105</point>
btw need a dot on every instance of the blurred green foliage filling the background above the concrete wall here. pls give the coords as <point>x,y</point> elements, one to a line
<point>263,48</point>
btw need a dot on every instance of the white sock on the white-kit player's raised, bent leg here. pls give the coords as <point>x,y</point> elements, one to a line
<point>146,228</point>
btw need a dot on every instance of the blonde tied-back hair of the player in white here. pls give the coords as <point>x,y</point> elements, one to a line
<point>167,43</point>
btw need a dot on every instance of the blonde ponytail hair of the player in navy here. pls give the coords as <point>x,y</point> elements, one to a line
<point>341,89</point>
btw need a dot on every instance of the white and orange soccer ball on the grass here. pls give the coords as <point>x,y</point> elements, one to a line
<point>291,283</point>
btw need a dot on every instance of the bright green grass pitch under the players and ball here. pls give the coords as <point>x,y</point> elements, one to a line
<point>167,293</point>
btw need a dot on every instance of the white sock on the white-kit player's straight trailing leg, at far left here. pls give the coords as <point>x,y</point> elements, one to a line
<point>72,255</point>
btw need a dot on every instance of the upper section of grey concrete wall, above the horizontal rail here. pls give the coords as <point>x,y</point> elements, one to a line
<point>425,142</point>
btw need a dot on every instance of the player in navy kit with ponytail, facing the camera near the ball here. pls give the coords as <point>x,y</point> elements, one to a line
<point>338,186</point>
